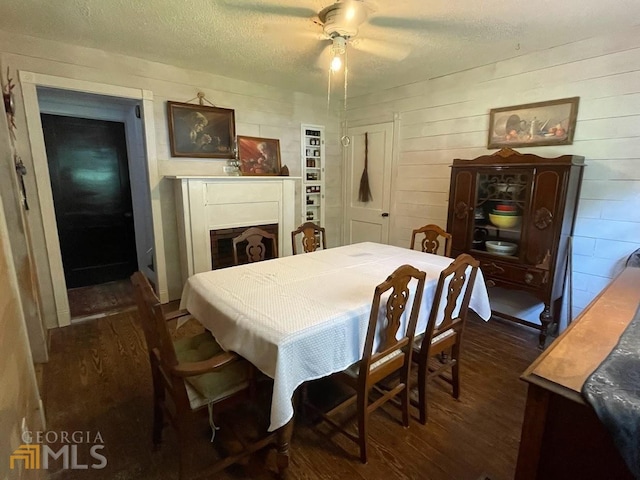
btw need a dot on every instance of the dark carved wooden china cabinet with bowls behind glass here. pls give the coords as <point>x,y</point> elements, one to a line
<point>515,213</point>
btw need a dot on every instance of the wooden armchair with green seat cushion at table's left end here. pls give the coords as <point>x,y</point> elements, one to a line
<point>190,374</point>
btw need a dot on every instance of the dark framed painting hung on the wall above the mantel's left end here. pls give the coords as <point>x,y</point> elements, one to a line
<point>200,130</point>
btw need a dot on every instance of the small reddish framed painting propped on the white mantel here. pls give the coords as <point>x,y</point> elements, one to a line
<point>259,156</point>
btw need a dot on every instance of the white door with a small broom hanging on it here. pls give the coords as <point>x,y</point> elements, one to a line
<point>369,221</point>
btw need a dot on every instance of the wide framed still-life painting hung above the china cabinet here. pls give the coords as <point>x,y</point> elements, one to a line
<point>534,124</point>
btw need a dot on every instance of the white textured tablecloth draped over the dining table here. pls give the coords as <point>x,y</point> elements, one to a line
<point>305,316</point>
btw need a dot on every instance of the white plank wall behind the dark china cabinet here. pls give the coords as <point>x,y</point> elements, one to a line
<point>447,117</point>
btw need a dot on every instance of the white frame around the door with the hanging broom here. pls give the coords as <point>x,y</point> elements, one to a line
<point>395,135</point>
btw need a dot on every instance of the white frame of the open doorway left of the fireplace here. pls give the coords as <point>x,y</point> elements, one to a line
<point>29,82</point>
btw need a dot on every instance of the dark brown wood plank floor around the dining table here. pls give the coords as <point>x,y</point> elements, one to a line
<point>98,379</point>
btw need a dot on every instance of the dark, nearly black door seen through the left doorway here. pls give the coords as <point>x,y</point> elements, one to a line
<point>92,196</point>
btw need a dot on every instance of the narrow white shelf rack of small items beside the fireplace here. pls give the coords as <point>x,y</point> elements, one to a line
<point>313,155</point>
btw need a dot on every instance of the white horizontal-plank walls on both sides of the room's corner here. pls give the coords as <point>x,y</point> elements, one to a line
<point>440,119</point>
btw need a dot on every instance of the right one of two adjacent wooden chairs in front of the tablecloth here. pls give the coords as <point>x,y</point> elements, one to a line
<point>444,329</point>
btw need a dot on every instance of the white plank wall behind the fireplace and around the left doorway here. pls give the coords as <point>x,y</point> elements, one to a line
<point>260,110</point>
